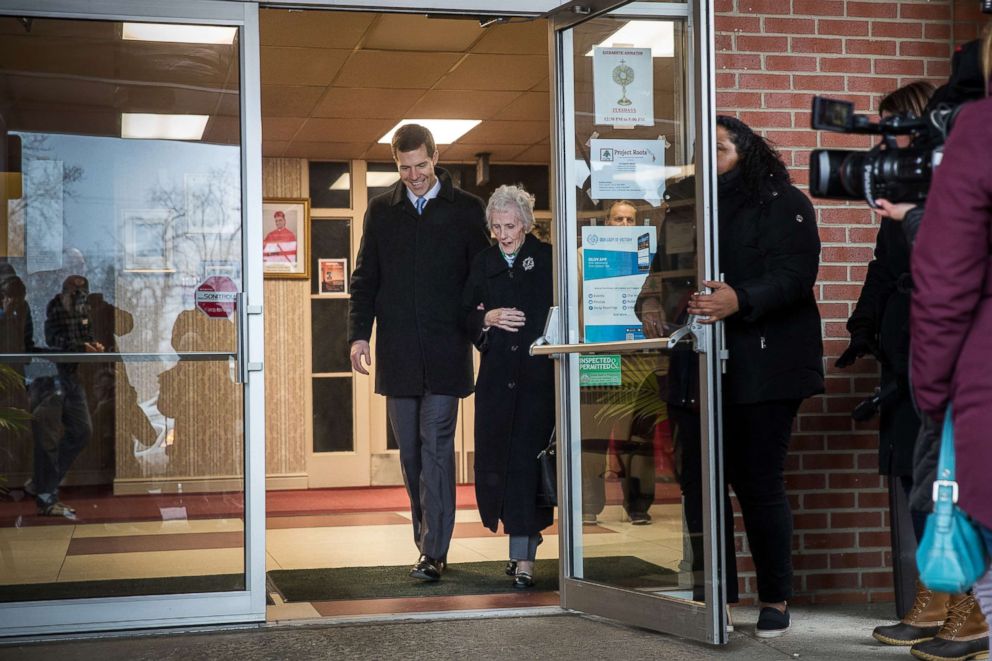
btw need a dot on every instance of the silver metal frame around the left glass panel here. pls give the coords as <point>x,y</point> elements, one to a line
<point>76,615</point>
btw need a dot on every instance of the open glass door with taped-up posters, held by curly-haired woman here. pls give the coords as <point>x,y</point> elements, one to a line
<point>641,493</point>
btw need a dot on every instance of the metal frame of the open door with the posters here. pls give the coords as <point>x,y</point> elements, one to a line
<point>705,622</point>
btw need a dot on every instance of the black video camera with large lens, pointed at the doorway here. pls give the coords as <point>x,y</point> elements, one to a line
<point>898,174</point>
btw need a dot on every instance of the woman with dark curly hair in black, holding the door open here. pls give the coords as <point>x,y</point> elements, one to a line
<point>769,253</point>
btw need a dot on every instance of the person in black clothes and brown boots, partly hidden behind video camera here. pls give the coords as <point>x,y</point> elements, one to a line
<point>879,326</point>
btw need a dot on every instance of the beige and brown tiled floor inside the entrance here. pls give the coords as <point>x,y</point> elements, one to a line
<point>300,539</point>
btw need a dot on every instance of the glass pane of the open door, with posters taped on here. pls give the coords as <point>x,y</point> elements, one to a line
<point>640,421</point>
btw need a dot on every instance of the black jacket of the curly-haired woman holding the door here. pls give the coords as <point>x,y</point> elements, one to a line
<point>769,254</point>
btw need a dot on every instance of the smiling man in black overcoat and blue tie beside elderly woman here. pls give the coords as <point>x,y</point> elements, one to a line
<point>418,243</point>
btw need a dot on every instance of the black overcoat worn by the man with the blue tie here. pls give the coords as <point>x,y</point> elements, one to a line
<point>409,276</point>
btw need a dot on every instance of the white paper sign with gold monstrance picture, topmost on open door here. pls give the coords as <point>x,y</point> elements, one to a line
<point>623,83</point>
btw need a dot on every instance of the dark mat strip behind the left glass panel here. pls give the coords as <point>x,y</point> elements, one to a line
<point>132,587</point>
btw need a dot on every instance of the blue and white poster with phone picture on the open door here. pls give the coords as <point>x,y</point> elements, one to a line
<point>615,263</point>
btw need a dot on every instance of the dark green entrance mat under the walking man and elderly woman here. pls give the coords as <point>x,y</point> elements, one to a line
<point>340,583</point>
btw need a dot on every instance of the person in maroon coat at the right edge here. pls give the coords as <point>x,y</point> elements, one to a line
<point>951,326</point>
